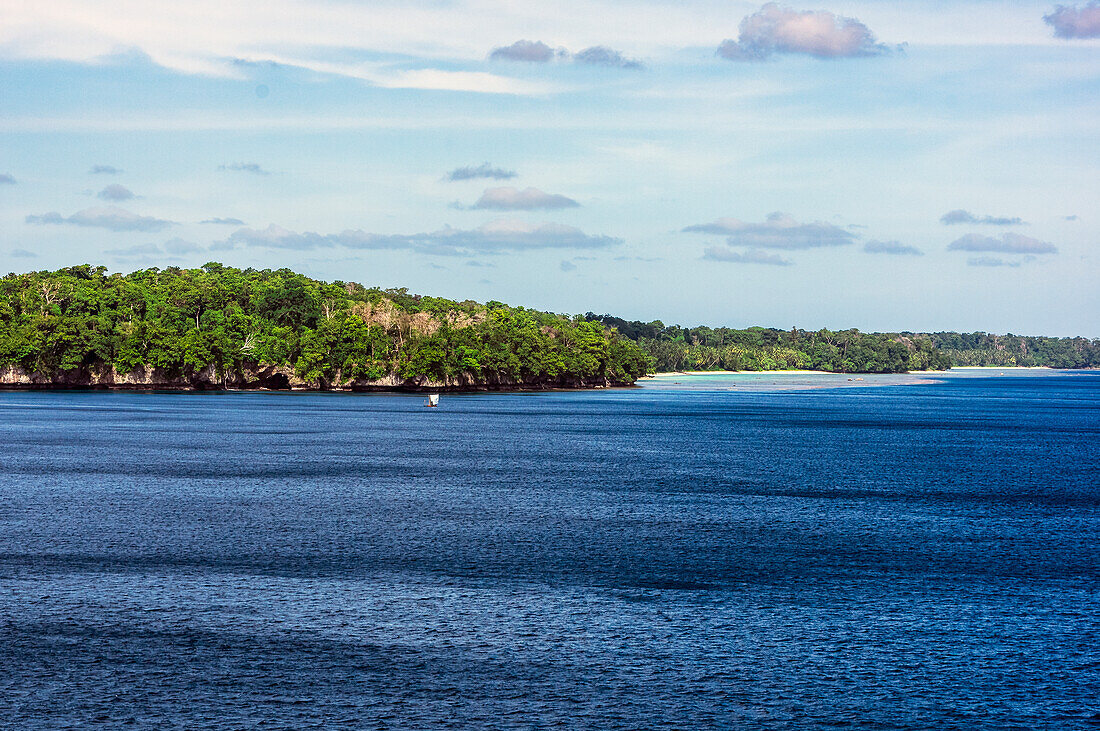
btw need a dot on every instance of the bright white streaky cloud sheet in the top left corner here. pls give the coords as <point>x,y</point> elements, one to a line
<point>212,38</point>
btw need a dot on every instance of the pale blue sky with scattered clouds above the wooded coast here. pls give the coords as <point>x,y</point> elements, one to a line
<point>876,164</point>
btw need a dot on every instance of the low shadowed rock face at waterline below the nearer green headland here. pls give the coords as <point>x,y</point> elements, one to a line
<point>274,379</point>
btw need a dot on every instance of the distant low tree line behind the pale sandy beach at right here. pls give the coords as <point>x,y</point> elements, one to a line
<point>673,348</point>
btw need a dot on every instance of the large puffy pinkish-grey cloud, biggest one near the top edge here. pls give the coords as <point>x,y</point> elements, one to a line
<point>819,34</point>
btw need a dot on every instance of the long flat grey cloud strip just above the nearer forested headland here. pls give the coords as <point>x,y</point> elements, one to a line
<point>497,237</point>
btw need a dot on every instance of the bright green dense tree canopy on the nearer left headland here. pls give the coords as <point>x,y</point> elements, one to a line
<point>222,320</point>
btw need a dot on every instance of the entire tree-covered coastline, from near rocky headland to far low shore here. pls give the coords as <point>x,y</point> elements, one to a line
<point>222,328</point>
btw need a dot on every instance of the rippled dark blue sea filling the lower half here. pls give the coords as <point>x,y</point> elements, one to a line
<point>900,557</point>
